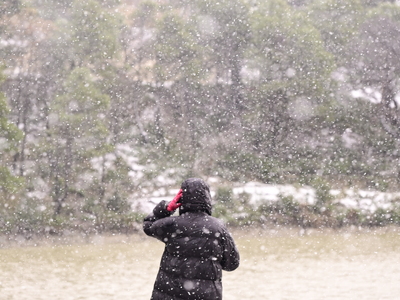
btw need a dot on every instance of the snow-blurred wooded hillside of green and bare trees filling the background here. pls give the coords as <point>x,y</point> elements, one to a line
<point>246,90</point>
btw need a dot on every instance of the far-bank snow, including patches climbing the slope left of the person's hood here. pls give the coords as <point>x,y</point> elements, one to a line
<point>256,192</point>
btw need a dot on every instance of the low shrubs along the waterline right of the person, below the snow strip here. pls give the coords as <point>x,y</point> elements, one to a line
<point>288,212</point>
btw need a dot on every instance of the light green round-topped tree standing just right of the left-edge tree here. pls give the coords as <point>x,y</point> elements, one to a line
<point>79,133</point>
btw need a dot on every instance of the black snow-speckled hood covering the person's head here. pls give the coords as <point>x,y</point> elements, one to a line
<point>195,197</point>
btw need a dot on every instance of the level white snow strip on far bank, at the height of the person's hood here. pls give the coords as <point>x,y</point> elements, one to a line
<point>259,193</point>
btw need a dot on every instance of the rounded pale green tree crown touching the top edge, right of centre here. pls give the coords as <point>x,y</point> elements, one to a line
<point>290,50</point>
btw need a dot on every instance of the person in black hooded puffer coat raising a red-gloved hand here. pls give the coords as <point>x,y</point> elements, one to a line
<point>197,246</point>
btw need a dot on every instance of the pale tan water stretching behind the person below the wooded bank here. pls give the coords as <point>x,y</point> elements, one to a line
<point>275,264</point>
